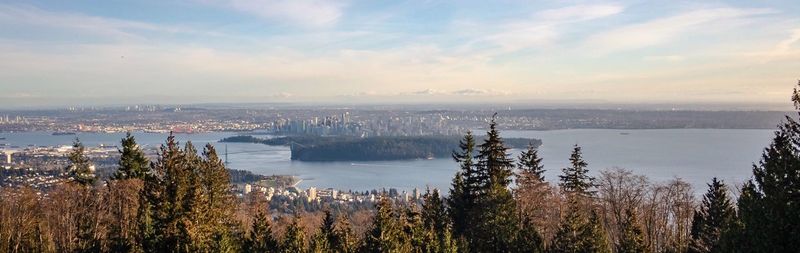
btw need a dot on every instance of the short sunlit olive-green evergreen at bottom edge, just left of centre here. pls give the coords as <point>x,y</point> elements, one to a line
<point>386,233</point>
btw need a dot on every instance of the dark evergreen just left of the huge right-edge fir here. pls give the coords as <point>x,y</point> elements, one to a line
<point>714,217</point>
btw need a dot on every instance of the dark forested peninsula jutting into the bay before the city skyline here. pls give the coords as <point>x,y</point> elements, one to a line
<point>343,148</point>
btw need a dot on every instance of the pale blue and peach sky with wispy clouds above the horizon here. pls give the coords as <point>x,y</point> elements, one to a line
<point>79,52</point>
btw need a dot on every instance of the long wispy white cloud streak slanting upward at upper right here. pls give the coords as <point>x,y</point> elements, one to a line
<point>663,30</point>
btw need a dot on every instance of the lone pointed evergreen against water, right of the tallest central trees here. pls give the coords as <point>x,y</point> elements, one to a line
<point>576,179</point>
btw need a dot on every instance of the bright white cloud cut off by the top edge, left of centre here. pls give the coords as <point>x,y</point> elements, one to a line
<point>310,13</point>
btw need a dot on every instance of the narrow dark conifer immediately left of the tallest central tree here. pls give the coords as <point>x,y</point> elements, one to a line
<point>463,194</point>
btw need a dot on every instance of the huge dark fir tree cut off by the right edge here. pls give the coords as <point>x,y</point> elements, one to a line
<point>769,213</point>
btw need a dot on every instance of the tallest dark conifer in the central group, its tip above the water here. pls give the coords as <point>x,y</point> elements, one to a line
<point>498,225</point>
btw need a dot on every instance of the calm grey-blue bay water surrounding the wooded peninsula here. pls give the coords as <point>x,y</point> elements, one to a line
<point>696,155</point>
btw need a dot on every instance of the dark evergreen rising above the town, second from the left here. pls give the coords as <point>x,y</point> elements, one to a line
<point>133,163</point>
